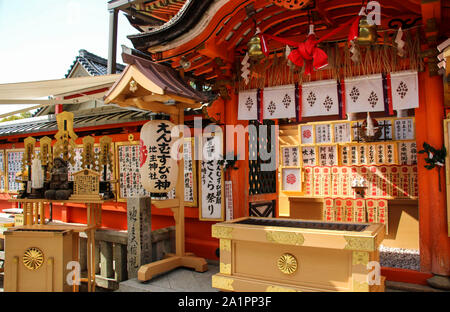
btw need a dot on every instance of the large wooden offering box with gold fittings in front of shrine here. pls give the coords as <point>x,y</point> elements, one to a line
<point>264,254</point>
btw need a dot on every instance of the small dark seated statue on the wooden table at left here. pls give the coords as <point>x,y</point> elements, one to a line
<point>59,181</point>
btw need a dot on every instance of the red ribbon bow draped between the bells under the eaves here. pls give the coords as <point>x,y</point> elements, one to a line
<point>307,52</point>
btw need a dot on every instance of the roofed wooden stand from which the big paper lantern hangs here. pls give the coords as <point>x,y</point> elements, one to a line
<point>141,89</point>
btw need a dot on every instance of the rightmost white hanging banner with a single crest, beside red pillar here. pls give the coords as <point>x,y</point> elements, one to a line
<point>405,90</point>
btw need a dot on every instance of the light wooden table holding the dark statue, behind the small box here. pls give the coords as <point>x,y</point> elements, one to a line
<point>34,217</point>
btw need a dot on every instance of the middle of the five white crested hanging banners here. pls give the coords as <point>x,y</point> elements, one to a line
<point>320,98</point>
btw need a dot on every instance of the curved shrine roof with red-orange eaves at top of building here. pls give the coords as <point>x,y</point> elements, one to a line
<point>209,38</point>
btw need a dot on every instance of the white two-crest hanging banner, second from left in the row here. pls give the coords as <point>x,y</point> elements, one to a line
<point>279,102</point>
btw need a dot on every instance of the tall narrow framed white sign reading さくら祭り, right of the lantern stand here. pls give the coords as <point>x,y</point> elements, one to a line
<point>212,195</point>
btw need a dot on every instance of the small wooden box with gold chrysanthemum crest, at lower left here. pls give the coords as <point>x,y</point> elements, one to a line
<point>36,259</point>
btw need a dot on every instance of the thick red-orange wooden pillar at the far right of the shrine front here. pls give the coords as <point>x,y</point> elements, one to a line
<point>434,240</point>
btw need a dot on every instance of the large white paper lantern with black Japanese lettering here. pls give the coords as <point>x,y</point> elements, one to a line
<point>158,169</point>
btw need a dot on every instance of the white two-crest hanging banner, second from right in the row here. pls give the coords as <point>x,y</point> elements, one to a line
<point>364,94</point>
